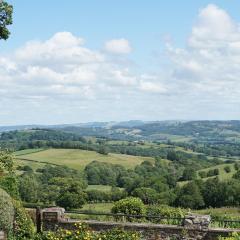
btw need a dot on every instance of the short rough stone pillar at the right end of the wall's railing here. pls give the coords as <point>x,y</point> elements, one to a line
<point>195,221</point>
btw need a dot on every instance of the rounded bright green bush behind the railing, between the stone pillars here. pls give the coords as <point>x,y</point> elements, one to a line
<point>130,206</point>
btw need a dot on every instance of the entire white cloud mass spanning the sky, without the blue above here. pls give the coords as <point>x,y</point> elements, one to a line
<point>201,81</point>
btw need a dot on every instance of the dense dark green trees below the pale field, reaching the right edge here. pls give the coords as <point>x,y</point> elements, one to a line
<point>157,183</point>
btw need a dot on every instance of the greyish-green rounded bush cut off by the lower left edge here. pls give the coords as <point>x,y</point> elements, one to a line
<point>6,212</point>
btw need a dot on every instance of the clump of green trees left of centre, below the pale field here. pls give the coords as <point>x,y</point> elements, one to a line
<point>54,185</point>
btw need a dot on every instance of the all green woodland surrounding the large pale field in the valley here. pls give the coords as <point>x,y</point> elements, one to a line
<point>153,183</point>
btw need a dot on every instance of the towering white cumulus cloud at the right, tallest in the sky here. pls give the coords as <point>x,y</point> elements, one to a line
<point>209,66</point>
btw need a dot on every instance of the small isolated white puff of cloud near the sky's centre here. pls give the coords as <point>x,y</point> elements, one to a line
<point>118,46</point>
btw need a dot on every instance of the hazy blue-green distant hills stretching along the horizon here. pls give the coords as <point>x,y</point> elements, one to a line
<point>215,131</point>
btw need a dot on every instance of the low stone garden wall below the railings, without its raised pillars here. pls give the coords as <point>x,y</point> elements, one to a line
<point>149,231</point>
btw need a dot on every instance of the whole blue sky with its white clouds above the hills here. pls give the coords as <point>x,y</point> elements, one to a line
<point>89,60</point>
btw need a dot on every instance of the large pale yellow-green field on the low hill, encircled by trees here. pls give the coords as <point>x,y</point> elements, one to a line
<point>78,159</point>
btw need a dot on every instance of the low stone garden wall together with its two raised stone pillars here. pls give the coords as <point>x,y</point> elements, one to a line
<point>195,227</point>
